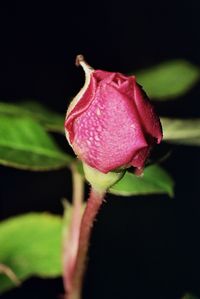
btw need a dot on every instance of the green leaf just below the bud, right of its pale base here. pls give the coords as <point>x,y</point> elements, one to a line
<point>154,181</point>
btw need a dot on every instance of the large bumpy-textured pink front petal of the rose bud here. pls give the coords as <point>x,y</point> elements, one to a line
<point>110,118</point>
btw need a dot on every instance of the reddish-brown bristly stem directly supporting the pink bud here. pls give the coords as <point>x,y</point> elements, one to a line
<point>93,205</point>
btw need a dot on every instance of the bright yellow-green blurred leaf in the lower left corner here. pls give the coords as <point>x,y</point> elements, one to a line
<point>30,246</point>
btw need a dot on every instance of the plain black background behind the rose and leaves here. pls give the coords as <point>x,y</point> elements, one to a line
<point>143,247</point>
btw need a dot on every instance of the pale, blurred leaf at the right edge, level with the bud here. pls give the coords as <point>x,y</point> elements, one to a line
<point>181,131</point>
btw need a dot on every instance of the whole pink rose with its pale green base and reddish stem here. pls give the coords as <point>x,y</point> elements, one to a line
<point>111,126</point>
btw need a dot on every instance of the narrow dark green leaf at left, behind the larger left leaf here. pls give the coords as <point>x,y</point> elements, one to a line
<point>51,120</point>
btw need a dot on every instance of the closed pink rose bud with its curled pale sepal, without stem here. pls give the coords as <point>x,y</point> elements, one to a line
<point>111,123</point>
